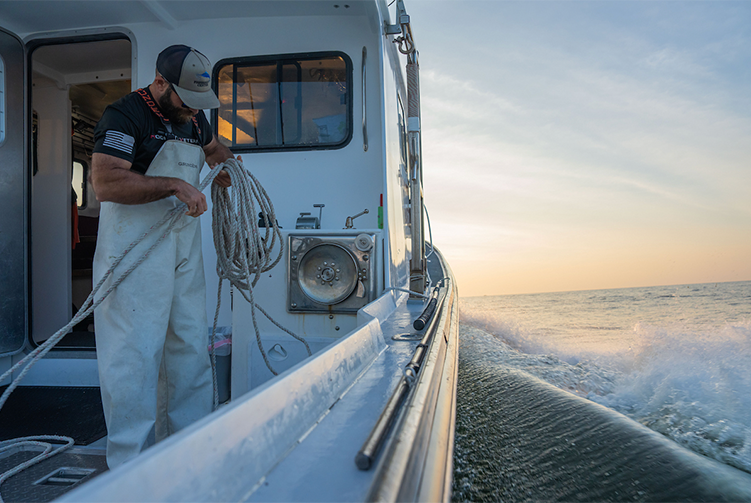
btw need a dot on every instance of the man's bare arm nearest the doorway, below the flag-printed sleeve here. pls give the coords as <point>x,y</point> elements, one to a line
<point>113,181</point>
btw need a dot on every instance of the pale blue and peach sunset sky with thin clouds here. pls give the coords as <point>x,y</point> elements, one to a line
<point>577,145</point>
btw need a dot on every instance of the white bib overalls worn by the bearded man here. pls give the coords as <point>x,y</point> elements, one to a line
<point>151,331</point>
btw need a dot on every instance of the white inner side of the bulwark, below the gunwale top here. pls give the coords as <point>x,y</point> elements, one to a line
<point>284,408</point>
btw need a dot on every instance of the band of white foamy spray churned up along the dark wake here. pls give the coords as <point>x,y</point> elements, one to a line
<point>693,386</point>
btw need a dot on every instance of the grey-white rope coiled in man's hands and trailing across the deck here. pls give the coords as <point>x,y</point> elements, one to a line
<point>241,252</point>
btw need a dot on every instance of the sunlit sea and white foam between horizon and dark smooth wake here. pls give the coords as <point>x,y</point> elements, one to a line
<point>689,380</point>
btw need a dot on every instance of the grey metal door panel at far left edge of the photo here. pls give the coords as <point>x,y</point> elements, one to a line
<point>13,195</point>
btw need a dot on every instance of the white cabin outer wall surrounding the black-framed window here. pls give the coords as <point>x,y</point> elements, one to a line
<point>346,180</point>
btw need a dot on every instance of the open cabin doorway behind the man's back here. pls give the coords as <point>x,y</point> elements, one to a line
<point>71,85</point>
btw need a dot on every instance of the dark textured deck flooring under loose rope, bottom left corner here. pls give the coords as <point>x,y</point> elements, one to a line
<point>25,486</point>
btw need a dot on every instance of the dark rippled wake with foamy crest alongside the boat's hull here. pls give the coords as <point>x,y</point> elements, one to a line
<point>521,438</point>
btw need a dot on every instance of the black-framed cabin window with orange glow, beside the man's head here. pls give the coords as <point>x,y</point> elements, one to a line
<point>296,102</point>
